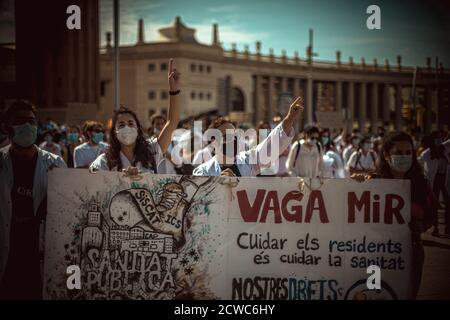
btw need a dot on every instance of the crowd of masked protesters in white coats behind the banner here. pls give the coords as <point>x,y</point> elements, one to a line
<point>31,148</point>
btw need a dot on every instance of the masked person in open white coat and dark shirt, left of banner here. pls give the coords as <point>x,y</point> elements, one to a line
<point>23,193</point>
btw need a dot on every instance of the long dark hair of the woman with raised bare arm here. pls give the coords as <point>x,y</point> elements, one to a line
<point>143,151</point>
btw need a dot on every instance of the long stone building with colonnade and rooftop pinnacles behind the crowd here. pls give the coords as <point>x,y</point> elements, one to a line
<point>252,86</point>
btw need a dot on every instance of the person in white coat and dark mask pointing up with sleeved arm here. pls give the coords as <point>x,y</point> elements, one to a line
<point>249,163</point>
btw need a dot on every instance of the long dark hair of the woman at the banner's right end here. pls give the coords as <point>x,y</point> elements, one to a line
<point>419,190</point>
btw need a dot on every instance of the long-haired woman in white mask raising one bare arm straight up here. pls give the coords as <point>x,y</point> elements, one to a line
<point>129,151</point>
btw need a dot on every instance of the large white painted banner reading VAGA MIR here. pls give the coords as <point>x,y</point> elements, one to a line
<point>183,237</point>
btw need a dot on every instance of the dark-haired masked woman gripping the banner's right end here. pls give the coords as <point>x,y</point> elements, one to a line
<point>398,161</point>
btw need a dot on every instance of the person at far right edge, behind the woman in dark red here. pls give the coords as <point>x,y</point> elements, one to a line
<point>436,165</point>
